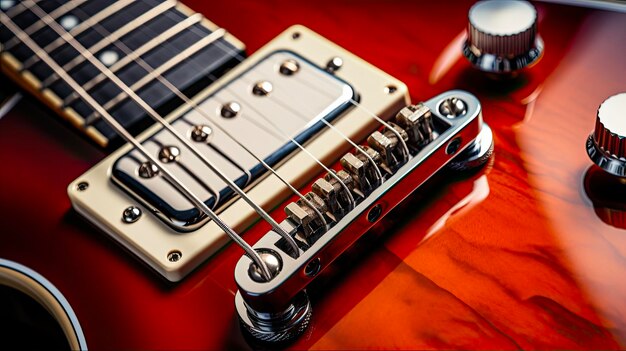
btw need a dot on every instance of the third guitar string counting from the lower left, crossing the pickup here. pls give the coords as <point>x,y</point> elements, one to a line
<point>206,115</point>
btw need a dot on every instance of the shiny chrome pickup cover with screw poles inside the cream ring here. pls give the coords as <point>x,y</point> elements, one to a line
<point>240,116</point>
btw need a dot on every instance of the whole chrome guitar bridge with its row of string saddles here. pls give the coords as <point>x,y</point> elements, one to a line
<point>424,138</point>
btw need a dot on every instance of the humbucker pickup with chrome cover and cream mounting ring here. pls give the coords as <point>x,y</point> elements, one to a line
<point>324,88</point>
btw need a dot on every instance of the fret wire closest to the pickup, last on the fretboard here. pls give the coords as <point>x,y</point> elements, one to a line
<point>197,46</point>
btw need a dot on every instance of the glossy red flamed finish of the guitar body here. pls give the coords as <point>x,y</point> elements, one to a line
<point>512,256</point>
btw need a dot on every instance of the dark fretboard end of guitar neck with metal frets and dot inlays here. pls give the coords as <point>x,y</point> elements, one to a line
<point>139,41</point>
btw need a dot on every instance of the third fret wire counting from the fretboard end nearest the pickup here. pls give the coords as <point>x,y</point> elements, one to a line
<point>115,35</point>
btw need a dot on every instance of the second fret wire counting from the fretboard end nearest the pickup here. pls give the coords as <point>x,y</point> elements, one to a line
<point>136,54</point>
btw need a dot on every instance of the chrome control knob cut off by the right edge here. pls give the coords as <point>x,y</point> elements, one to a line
<point>606,146</point>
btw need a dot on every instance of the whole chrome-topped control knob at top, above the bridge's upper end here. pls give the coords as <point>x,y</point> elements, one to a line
<point>502,36</point>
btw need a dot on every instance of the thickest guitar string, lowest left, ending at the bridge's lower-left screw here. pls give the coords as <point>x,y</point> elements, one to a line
<point>129,138</point>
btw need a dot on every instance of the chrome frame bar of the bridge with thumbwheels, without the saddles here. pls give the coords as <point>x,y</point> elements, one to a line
<point>278,309</point>
